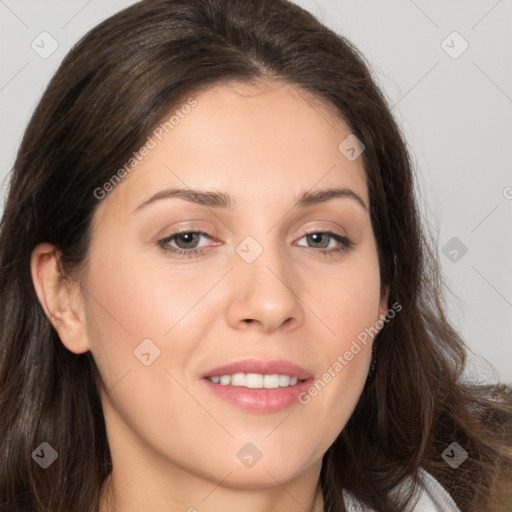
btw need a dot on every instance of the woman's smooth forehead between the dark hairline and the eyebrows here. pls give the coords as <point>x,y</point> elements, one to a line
<point>248,140</point>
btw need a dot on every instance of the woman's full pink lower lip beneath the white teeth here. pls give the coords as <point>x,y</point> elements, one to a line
<point>263,401</point>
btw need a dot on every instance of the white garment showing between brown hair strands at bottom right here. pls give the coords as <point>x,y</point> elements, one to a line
<point>431,496</point>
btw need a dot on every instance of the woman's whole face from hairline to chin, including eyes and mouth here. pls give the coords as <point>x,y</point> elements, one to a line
<point>266,281</point>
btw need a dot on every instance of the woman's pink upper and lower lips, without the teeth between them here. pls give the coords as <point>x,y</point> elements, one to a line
<point>261,401</point>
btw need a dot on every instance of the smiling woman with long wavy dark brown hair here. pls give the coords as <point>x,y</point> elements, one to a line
<point>174,339</point>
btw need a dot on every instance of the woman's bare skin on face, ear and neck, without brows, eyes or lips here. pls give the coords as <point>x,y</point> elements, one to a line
<point>173,442</point>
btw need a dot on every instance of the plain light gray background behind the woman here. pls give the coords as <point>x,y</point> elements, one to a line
<point>455,111</point>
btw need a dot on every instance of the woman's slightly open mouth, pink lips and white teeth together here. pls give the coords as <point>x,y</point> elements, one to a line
<point>259,386</point>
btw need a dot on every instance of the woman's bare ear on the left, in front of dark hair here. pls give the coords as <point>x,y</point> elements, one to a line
<point>60,298</point>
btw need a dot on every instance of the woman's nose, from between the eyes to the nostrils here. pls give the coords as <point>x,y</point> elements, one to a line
<point>264,294</point>
